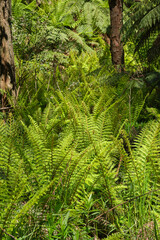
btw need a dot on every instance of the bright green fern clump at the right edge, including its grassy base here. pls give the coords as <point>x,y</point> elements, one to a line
<point>140,168</point>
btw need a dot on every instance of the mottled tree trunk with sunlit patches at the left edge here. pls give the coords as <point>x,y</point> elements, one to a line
<point>7,68</point>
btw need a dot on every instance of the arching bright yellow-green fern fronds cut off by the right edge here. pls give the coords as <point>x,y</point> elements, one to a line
<point>141,161</point>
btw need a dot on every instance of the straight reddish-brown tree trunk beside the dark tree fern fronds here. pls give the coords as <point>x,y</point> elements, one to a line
<point>116,18</point>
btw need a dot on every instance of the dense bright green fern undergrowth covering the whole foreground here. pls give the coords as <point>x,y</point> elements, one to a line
<point>79,167</point>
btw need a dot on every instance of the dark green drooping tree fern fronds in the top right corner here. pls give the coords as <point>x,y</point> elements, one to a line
<point>145,23</point>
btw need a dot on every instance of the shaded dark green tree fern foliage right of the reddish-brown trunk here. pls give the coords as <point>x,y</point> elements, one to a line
<point>143,25</point>
